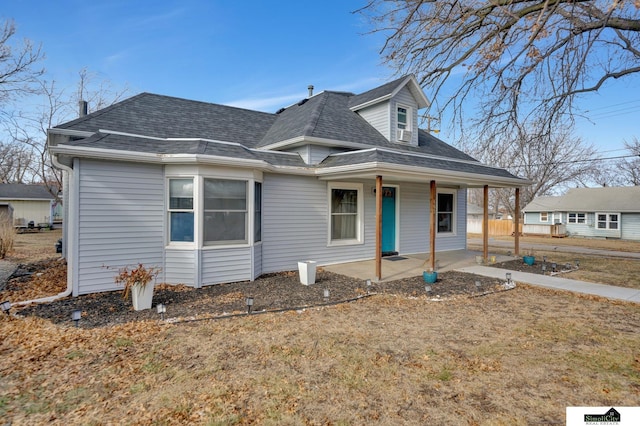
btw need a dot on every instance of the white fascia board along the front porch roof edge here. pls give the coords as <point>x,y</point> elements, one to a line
<point>423,173</point>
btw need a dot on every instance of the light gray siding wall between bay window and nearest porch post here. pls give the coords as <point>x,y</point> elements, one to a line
<point>295,215</point>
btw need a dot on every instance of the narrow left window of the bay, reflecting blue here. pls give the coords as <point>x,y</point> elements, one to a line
<point>181,210</point>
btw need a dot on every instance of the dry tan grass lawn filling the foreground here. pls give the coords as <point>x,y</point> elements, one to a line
<point>513,358</point>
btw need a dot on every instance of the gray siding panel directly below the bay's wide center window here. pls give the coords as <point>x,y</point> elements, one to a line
<point>226,265</point>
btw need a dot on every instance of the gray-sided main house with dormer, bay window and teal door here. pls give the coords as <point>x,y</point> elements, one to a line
<point>215,194</point>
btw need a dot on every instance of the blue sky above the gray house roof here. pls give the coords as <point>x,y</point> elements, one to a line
<point>253,54</point>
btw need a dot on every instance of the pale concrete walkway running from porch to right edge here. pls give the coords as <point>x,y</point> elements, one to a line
<point>608,291</point>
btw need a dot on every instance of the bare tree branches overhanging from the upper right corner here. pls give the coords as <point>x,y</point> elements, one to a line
<point>521,60</point>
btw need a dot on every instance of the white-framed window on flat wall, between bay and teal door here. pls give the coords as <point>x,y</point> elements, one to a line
<point>346,210</point>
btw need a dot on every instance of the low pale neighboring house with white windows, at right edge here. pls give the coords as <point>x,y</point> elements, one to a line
<point>587,212</point>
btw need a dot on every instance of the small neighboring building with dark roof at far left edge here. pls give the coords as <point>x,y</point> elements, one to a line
<point>31,203</point>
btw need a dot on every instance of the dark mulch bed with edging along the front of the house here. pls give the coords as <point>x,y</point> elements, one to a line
<point>271,292</point>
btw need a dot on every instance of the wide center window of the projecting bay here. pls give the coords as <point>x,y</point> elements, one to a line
<point>225,211</point>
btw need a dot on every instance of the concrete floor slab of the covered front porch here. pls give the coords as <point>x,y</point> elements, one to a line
<point>406,266</point>
